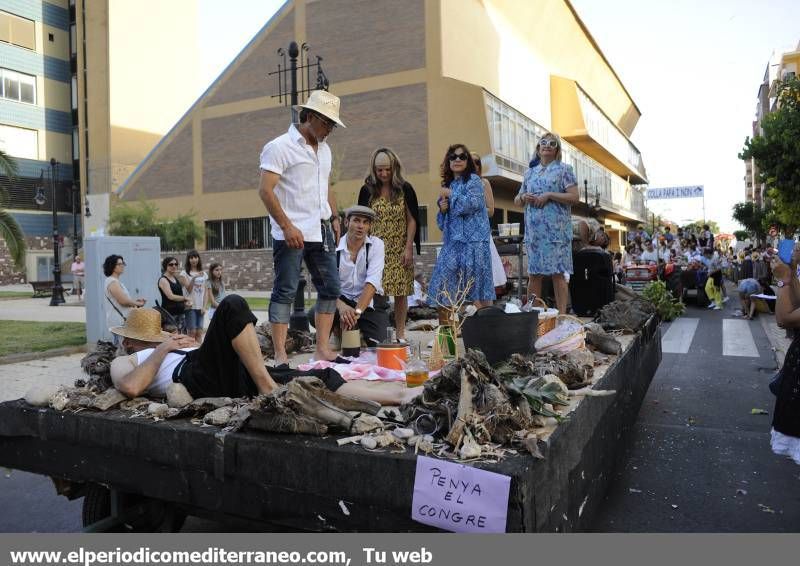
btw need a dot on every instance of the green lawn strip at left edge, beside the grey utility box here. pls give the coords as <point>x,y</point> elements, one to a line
<point>17,337</point>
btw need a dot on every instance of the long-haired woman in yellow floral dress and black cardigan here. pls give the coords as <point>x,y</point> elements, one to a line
<point>395,204</point>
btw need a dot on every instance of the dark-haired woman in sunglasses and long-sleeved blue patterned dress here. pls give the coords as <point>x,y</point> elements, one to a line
<point>463,219</point>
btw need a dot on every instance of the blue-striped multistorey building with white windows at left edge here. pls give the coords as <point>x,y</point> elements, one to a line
<point>37,125</point>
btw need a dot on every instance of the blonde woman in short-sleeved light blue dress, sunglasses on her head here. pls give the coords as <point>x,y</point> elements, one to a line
<point>548,193</point>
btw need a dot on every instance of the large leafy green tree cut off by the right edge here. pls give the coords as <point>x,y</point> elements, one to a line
<point>777,155</point>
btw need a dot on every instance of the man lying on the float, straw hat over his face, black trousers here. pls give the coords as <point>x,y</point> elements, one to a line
<point>227,364</point>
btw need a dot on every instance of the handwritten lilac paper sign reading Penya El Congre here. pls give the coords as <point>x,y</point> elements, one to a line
<point>459,498</point>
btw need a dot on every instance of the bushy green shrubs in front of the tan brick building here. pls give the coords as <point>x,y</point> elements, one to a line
<point>141,219</point>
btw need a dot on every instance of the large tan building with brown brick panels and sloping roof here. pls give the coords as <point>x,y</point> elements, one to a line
<point>415,76</point>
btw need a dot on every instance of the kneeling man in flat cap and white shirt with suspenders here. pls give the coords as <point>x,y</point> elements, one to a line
<point>360,258</point>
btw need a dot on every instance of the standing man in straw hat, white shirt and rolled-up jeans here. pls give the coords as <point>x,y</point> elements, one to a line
<point>294,188</point>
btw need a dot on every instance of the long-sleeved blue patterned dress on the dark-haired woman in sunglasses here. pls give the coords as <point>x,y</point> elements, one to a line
<point>465,251</point>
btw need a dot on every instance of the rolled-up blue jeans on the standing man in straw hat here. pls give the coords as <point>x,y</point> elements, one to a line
<point>320,259</point>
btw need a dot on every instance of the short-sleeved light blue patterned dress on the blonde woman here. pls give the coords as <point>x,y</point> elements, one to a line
<point>548,230</point>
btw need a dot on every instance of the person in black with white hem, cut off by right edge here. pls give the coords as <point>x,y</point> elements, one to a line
<point>786,416</point>
